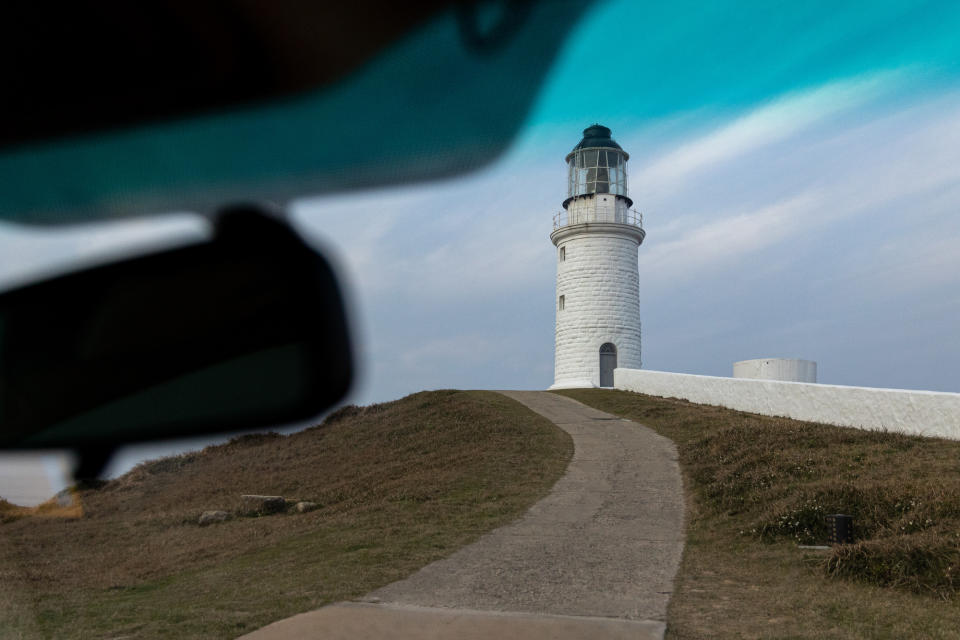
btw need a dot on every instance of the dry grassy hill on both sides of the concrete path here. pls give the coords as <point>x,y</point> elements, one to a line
<point>404,483</point>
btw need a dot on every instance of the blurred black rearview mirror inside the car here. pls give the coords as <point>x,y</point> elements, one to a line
<point>245,331</point>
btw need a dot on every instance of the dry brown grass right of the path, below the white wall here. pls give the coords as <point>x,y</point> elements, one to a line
<point>759,486</point>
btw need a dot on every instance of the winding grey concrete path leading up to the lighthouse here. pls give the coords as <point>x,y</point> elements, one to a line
<point>594,559</point>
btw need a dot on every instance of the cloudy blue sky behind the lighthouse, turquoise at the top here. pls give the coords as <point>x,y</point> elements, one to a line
<point>797,165</point>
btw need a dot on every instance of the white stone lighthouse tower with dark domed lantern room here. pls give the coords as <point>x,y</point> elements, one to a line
<point>598,285</point>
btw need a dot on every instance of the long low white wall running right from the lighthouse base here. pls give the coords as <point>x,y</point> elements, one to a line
<point>925,413</point>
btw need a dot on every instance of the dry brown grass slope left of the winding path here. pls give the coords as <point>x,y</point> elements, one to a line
<point>399,484</point>
